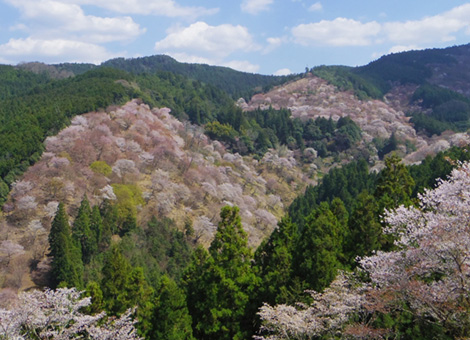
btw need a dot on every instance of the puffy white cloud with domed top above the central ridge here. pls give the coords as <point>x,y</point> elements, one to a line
<point>208,41</point>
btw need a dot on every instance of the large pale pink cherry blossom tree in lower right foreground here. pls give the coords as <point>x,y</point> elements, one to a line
<point>427,275</point>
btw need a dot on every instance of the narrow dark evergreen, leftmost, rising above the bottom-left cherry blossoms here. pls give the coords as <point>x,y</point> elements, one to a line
<point>66,266</point>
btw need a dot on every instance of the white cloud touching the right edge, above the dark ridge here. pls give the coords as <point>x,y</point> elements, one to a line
<point>438,28</point>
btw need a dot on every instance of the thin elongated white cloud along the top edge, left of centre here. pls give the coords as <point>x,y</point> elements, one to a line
<point>167,8</point>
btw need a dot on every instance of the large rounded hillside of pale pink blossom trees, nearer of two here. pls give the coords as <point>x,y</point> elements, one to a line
<point>174,169</point>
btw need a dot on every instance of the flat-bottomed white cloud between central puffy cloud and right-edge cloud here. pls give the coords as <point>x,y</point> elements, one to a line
<point>339,32</point>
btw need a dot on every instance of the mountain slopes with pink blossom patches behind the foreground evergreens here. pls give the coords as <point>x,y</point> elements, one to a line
<point>216,153</point>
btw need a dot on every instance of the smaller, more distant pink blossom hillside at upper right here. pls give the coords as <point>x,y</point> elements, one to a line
<point>313,97</point>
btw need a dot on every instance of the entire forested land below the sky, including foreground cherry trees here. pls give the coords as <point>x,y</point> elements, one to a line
<point>148,184</point>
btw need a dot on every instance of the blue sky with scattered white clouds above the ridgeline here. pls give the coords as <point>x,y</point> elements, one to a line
<point>257,36</point>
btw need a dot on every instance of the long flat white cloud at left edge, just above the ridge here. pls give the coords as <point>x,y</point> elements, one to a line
<point>55,50</point>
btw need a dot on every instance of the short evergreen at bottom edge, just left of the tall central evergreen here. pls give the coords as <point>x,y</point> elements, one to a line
<point>170,319</point>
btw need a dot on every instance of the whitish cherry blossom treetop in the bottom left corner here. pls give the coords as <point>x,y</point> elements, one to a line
<point>57,315</point>
